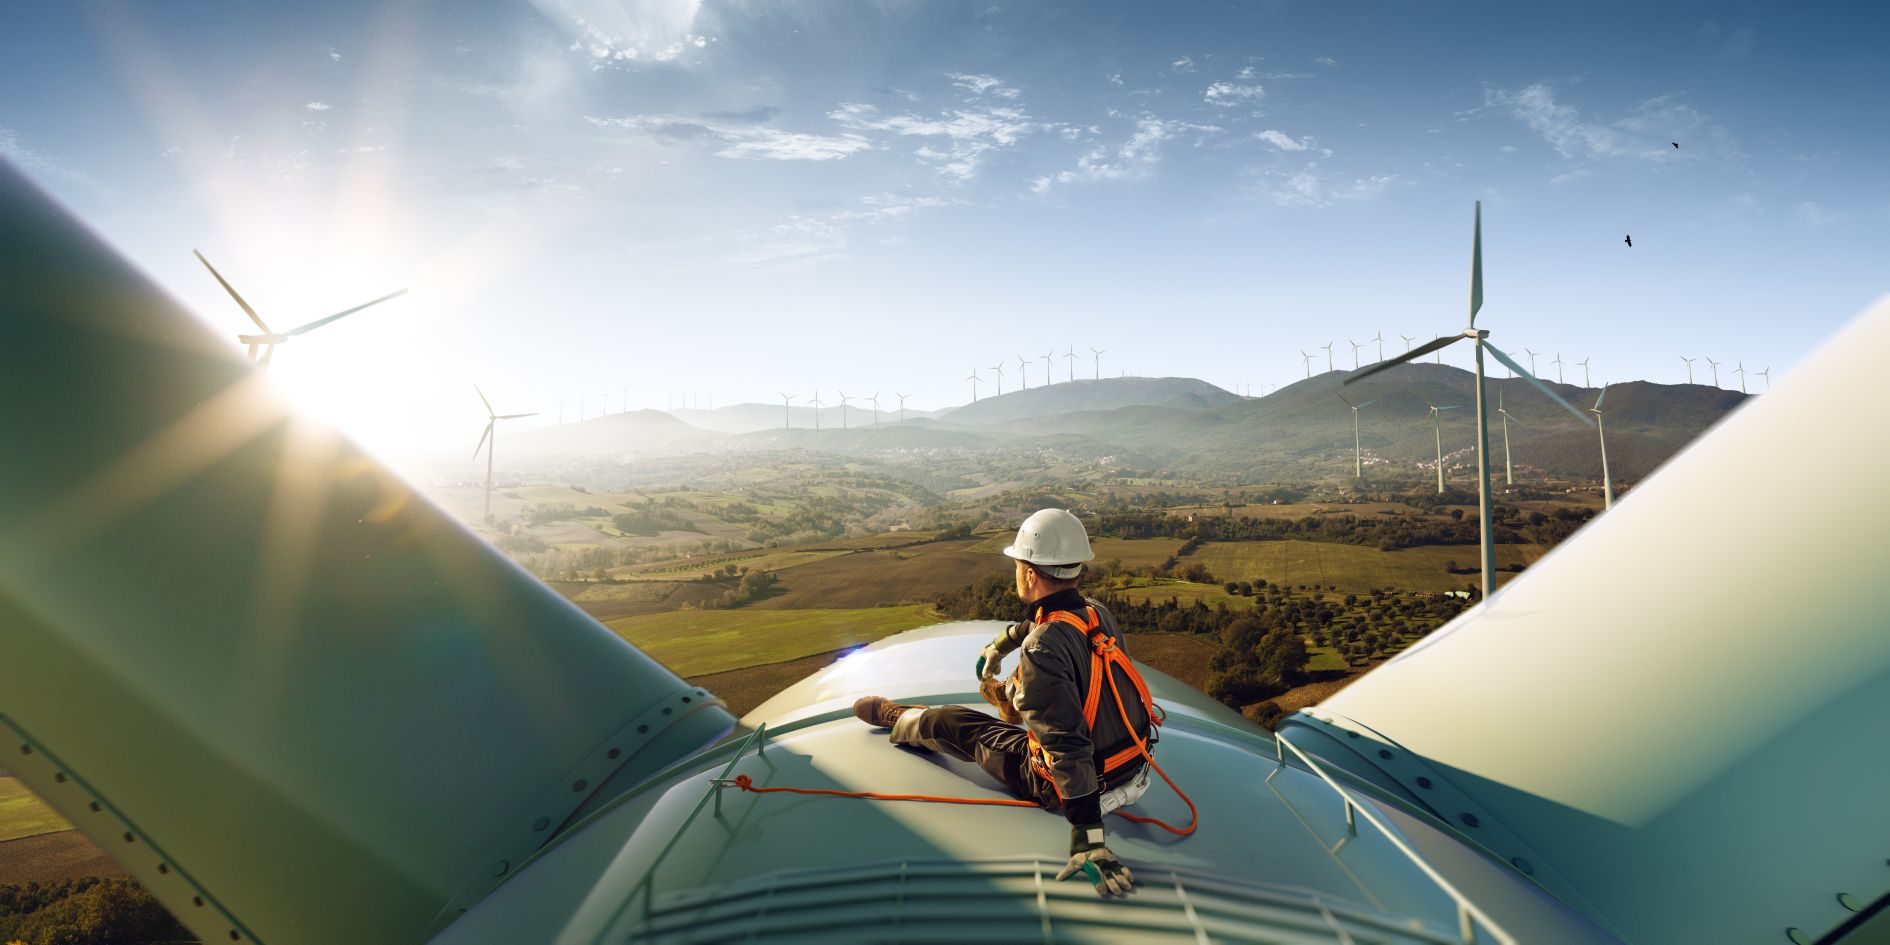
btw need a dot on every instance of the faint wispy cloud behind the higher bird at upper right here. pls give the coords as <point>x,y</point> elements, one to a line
<point>1643,135</point>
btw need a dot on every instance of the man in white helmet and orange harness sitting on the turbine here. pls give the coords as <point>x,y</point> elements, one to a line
<point>1078,751</point>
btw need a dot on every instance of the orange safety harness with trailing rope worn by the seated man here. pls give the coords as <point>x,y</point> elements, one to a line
<point>1103,659</point>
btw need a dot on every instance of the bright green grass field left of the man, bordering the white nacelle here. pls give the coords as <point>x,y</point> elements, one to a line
<point>713,642</point>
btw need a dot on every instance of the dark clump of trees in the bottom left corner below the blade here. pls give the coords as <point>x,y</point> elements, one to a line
<point>84,912</point>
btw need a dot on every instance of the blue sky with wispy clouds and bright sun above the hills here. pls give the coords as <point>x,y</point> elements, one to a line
<point>738,199</point>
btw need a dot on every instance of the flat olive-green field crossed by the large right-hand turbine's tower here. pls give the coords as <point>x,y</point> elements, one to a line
<point>1352,568</point>
